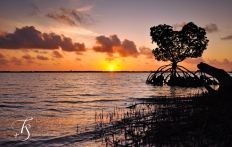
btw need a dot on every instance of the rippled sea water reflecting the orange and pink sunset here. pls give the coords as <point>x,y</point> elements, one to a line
<point>44,109</point>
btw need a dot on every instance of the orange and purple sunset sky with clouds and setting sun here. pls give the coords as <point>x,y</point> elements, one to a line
<point>102,35</point>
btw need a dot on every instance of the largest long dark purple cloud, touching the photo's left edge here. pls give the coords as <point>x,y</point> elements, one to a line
<point>30,38</point>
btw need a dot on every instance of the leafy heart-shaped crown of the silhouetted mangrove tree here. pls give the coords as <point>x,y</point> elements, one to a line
<point>175,46</point>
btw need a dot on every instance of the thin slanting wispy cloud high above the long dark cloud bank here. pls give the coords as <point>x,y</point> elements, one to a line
<point>61,17</point>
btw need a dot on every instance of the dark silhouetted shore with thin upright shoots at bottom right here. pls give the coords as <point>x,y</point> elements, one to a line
<point>200,120</point>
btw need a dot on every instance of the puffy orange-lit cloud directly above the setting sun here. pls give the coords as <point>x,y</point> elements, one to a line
<point>112,44</point>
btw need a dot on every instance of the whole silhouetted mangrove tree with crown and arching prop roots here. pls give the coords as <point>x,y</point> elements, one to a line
<point>175,46</point>
